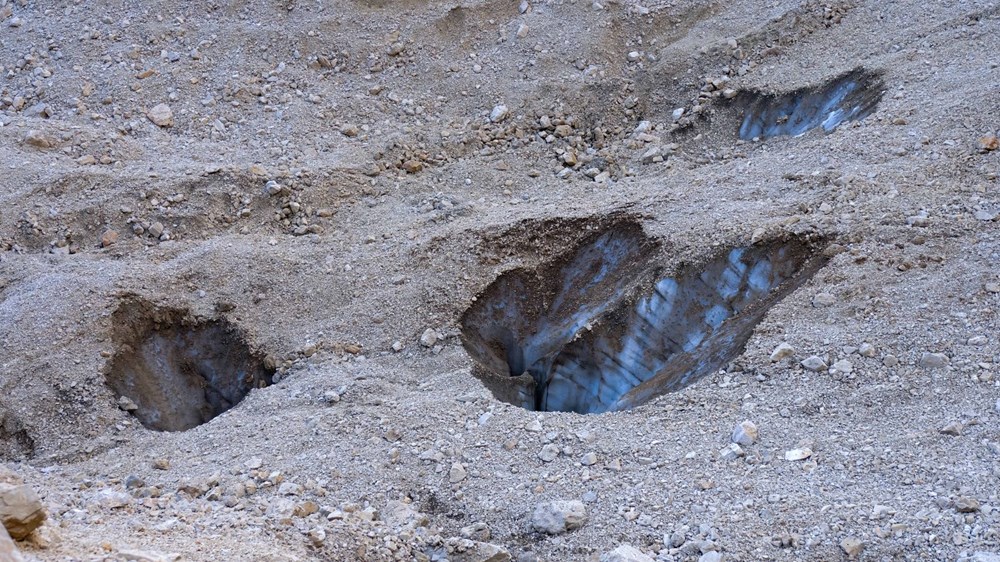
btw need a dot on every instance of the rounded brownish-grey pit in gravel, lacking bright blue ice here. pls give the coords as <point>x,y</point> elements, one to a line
<point>177,372</point>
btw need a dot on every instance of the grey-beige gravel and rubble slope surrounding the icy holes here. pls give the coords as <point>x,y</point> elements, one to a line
<point>332,179</point>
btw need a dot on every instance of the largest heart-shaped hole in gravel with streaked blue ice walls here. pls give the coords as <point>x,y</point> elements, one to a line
<point>596,332</point>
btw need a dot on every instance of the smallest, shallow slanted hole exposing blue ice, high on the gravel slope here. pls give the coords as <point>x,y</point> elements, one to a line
<point>849,97</point>
